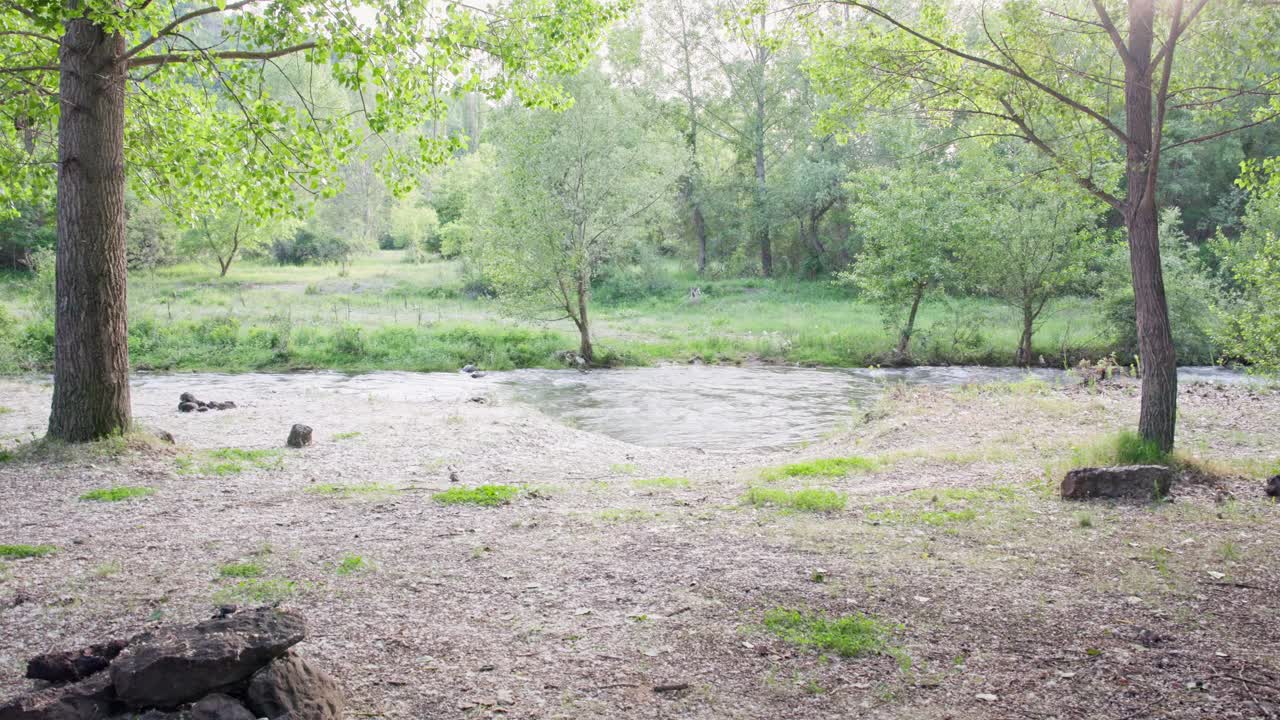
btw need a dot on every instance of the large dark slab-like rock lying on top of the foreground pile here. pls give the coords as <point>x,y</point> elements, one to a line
<point>181,664</point>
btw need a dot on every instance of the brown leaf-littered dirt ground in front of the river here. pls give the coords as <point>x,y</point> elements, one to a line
<point>598,585</point>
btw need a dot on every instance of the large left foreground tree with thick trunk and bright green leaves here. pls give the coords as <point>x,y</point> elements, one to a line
<point>193,78</point>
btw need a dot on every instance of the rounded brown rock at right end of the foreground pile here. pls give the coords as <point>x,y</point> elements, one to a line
<point>295,690</point>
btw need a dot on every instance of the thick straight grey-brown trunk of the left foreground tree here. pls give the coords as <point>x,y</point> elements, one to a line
<point>92,356</point>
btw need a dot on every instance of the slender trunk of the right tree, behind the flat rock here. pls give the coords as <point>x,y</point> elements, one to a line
<point>1159,412</point>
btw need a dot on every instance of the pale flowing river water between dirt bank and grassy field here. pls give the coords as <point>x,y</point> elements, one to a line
<point>714,408</point>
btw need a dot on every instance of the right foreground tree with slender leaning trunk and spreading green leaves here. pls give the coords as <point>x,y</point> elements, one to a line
<point>1058,76</point>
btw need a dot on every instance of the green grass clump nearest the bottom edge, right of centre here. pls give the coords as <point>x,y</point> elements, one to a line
<point>848,636</point>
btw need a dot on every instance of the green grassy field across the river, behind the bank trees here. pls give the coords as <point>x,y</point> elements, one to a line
<point>388,315</point>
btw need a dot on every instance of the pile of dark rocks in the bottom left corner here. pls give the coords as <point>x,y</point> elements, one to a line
<point>235,667</point>
